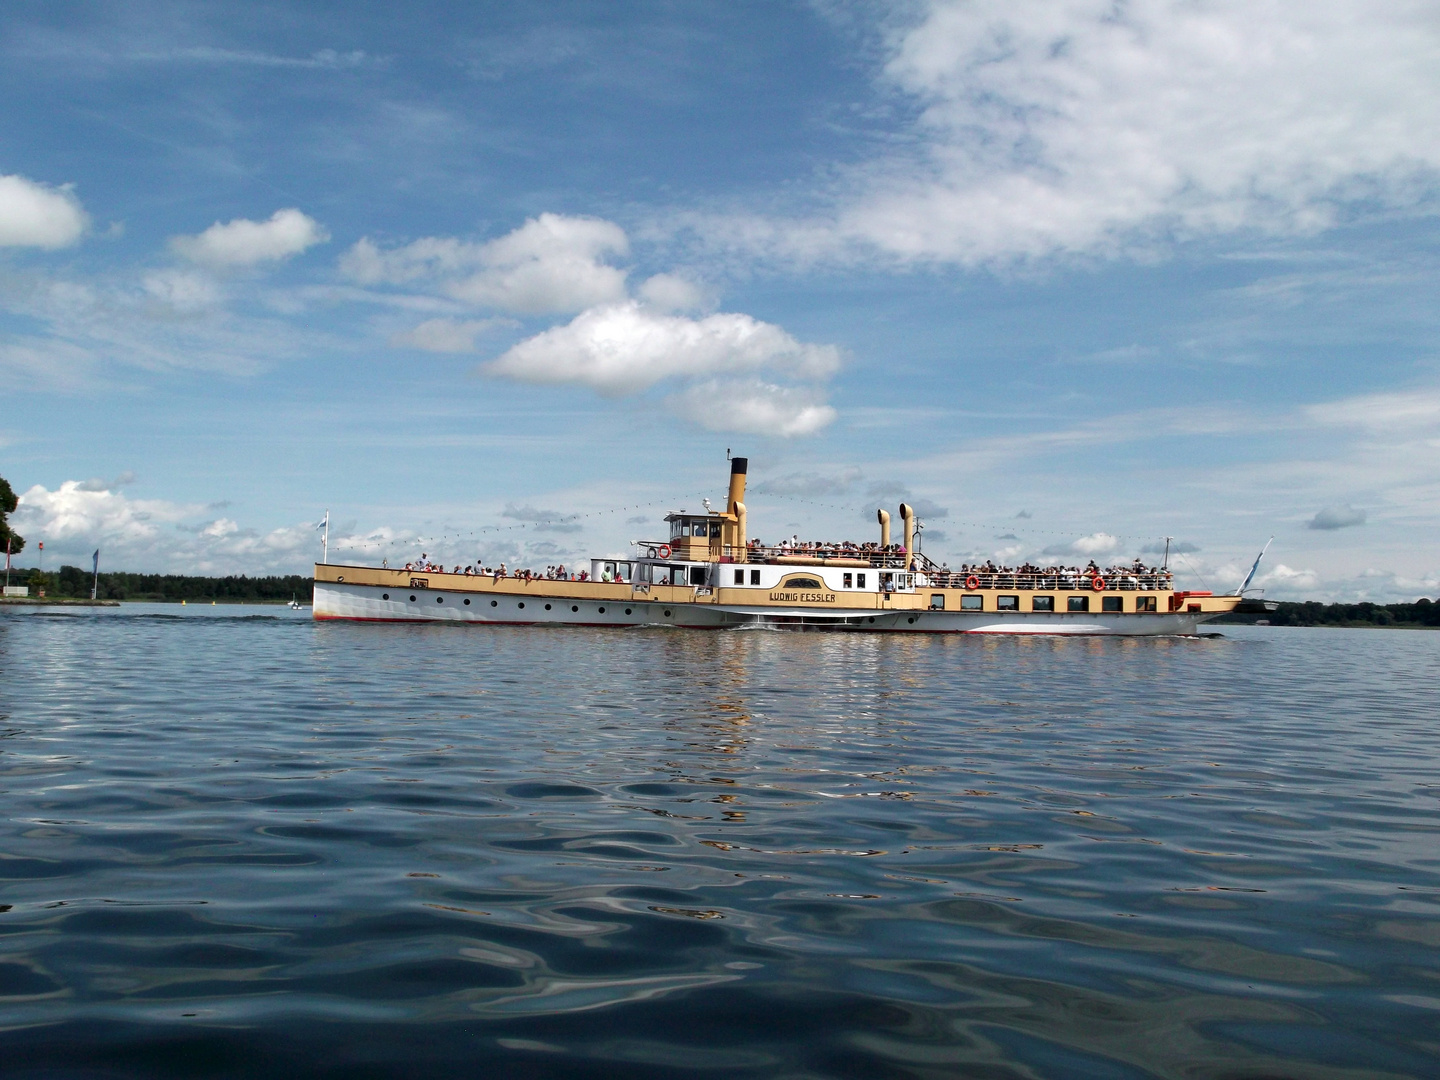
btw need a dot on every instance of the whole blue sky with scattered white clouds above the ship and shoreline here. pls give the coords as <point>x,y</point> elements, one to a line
<point>508,282</point>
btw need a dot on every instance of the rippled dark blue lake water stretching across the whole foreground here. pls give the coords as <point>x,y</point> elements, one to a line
<point>238,843</point>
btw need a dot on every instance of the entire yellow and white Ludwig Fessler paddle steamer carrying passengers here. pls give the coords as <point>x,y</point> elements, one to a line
<point>708,574</point>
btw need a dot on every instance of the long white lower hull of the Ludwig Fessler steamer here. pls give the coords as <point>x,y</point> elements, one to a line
<point>366,604</point>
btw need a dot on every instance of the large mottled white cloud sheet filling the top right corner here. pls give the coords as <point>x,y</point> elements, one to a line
<point>1086,127</point>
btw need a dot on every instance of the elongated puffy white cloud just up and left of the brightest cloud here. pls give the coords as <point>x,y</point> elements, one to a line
<point>552,264</point>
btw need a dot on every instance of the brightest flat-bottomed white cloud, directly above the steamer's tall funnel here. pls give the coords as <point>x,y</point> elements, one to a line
<point>626,348</point>
